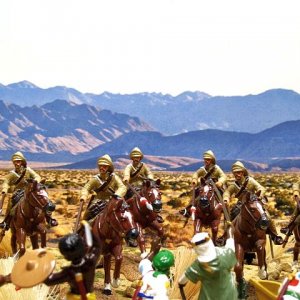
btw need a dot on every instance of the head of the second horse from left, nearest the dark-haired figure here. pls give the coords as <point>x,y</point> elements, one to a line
<point>121,220</point>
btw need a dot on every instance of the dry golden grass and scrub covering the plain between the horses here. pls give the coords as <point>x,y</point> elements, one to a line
<point>64,188</point>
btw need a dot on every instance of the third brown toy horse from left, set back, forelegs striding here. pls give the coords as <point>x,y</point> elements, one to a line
<point>146,215</point>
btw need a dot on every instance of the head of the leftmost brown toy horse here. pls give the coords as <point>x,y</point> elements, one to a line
<point>37,196</point>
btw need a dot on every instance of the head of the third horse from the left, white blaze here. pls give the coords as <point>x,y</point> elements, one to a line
<point>151,191</point>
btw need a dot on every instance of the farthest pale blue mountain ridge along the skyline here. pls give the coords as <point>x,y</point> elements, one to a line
<point>189,111</point>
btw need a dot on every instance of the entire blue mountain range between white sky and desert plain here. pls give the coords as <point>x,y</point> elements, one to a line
<point>71,128</point>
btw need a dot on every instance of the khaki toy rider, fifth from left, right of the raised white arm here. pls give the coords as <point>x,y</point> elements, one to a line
<point>245,182</point>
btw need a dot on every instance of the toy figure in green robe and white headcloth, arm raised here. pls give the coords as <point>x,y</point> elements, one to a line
<point>213,268</point>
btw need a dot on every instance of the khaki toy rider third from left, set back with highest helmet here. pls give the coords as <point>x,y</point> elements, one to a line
<point>136,172</point>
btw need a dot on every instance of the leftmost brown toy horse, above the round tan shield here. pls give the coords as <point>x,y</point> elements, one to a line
<point>29,217</point>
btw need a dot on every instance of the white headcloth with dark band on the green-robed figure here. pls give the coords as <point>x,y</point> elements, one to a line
<point>204,247</point>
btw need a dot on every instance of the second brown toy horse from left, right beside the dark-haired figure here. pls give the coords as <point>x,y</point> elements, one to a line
<point>109,228</point>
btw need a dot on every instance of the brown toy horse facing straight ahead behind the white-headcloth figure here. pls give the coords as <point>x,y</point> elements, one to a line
<point>208,210</point>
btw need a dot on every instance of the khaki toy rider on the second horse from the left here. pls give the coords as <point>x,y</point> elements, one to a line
<point>104,185</point>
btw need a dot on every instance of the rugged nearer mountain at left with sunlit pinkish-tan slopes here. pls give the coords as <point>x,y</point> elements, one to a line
<point>61,126</point>
